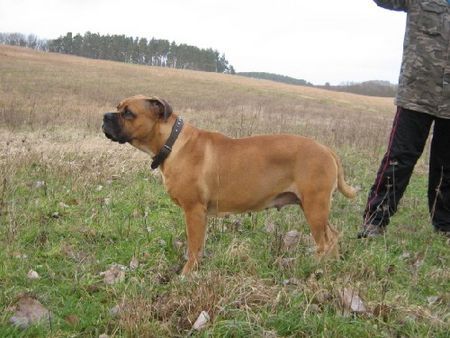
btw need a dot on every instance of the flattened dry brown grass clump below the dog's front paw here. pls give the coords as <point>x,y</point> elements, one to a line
<point>179,307</point>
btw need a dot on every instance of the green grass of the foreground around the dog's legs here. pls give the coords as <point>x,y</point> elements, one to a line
<point>69,229</point>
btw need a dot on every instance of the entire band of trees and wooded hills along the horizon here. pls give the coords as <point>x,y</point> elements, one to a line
<point>163,53</point>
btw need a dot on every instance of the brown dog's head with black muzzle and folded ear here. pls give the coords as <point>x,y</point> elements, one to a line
<point>135,119</point>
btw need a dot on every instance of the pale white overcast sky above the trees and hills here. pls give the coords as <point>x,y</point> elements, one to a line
<point>319,41</point>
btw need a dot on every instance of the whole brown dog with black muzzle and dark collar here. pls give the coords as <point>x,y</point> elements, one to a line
<point>207,173</point>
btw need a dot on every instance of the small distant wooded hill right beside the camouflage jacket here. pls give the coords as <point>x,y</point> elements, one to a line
<point>370,88</point>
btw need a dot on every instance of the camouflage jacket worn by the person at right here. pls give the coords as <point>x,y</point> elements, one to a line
<point>424,83</point>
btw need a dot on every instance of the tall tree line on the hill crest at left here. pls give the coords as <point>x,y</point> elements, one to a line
<point>152,52</point>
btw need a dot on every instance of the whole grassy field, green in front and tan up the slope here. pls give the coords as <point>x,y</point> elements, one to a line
<point>73,204</point>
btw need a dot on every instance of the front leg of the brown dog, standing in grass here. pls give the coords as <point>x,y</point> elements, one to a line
<point>195,230</point>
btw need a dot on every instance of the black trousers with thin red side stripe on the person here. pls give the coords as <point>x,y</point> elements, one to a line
<point>408,136</point>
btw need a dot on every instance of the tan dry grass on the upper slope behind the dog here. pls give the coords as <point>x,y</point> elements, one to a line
<point>50,91</point>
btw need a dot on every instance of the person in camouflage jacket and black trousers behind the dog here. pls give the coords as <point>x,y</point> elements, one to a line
<point>423,100</point>
